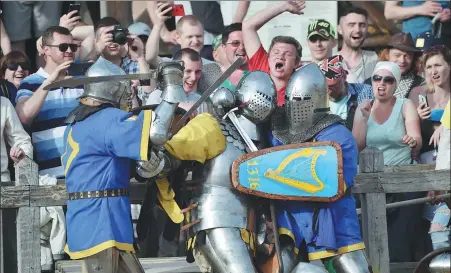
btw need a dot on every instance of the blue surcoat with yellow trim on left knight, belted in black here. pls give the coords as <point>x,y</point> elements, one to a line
<point>97,157</point>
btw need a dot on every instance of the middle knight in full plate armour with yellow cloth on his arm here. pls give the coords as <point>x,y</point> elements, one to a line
<point>219,220</point>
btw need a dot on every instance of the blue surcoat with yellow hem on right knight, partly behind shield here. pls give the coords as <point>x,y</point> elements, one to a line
<point>336,229</point>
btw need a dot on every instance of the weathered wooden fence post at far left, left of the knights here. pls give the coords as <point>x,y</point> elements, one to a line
<point>28,218</point>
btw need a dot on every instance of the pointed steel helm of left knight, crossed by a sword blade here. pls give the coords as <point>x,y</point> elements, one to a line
<point>117,93</point>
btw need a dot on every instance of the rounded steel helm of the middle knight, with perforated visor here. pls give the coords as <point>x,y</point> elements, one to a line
<point>256,96</point>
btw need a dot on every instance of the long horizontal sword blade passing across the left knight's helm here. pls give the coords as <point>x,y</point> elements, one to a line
<point>74,82</point>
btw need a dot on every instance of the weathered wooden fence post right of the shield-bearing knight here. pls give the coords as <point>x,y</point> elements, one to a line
<point>374,215</point>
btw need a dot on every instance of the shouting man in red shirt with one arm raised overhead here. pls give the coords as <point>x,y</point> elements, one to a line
<point>285,52</point>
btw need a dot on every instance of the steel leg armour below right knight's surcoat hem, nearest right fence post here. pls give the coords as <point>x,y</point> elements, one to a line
<point>351,262</point>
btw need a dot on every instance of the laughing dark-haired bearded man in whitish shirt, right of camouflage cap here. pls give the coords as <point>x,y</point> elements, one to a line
<point>353,27</point>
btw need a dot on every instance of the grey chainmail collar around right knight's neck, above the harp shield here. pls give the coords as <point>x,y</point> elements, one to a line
<point>280,127</point>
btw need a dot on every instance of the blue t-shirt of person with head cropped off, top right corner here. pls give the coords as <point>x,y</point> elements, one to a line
<point>419,24</point>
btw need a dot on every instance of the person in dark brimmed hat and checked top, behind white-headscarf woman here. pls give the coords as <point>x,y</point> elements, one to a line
<point>402,51</point>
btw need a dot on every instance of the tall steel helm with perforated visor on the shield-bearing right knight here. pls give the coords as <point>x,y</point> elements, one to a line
<point>306,98</point>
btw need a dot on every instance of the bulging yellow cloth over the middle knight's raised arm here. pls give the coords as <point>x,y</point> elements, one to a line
<point>199,140</point>
